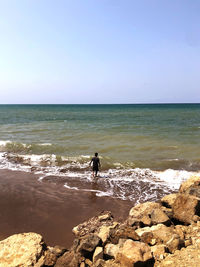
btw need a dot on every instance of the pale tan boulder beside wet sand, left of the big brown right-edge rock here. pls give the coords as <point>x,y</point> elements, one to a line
<point>140,215</point>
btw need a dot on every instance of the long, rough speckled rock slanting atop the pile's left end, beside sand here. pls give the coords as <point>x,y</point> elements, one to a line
<point>93,224</point>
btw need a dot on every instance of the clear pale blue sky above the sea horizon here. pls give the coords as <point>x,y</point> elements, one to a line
<point>99,51</point>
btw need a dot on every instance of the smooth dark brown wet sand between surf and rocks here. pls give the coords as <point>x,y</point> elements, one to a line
<point>47,208</point>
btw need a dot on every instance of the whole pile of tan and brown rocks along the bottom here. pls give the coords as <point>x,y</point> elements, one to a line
<point>165,233</point>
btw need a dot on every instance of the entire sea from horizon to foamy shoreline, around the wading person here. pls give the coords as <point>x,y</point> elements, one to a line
<point>146,150</point>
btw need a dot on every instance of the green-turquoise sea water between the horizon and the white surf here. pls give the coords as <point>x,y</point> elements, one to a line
<point>158,137</point>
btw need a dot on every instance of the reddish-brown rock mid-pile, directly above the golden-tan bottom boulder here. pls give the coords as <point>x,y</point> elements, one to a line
<point>123,231</point>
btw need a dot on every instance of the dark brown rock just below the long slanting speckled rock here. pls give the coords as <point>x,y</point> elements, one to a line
<point>88,243</point>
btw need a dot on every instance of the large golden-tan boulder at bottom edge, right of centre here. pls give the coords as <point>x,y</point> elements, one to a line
<point>133,252</point>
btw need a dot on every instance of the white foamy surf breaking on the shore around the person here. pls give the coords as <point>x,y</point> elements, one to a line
<point>117,180</point>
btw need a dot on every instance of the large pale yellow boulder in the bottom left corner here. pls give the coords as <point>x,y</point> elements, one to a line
<point>22,250</point>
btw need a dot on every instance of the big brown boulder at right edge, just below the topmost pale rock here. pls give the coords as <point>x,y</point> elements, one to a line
<point>185,207</point>
